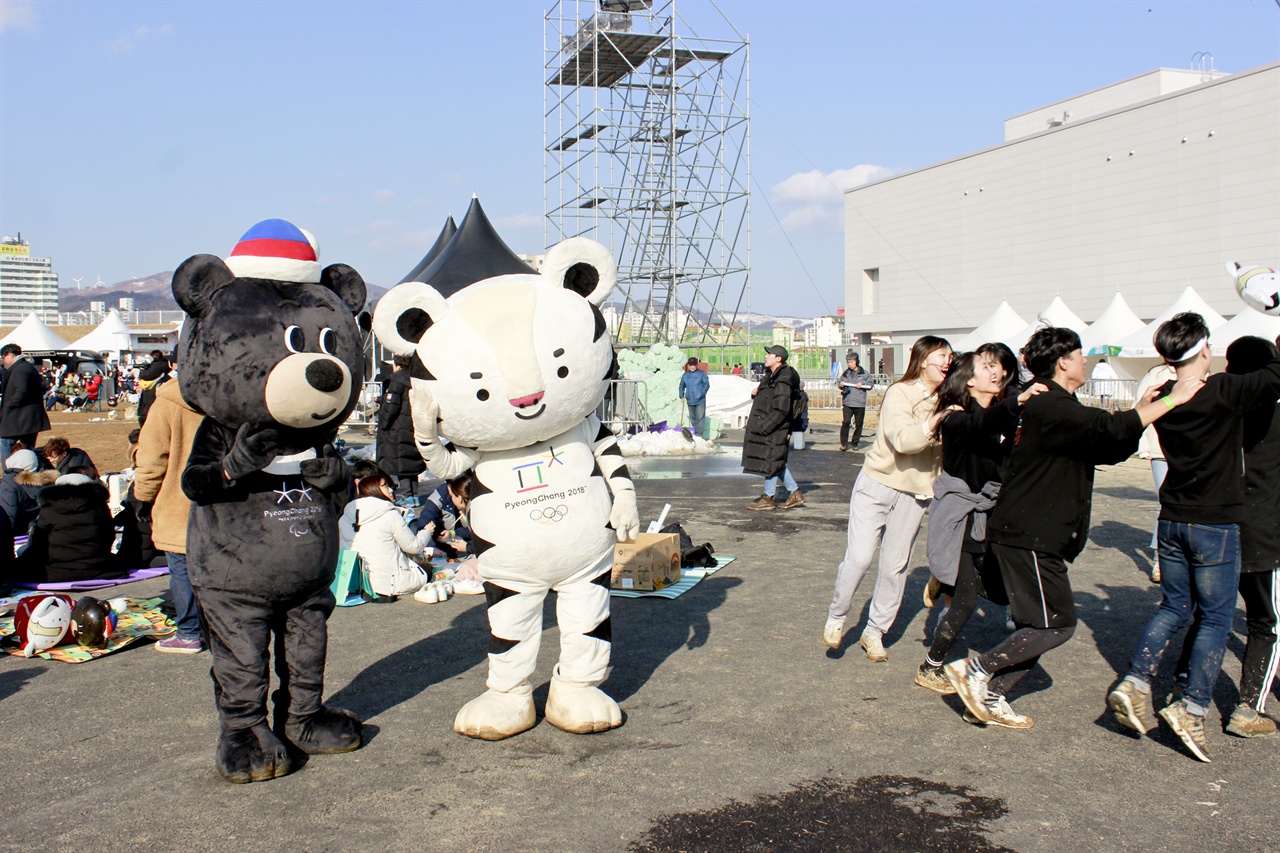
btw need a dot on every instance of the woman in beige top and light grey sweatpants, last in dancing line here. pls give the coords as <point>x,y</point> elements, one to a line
<point>890,496</point>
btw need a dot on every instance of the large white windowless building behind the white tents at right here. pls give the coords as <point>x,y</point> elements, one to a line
<point>1144,188</point>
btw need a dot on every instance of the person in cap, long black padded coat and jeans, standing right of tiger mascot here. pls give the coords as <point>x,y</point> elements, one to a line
<point>769,430</point>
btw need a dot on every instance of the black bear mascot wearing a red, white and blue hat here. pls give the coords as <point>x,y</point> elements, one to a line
<point>272,354</point>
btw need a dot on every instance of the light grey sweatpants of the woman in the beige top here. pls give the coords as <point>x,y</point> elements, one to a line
<point>892,519</point>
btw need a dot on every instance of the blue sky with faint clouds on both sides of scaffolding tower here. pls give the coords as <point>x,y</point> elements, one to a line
<point>134,135</point>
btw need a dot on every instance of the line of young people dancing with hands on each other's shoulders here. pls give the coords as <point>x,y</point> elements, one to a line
<point>1003,457</point>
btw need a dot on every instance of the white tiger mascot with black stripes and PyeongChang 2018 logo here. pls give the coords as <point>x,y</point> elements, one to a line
<point>510,371</point>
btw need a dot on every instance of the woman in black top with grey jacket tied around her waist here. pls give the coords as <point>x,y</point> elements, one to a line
<point>979,427</point>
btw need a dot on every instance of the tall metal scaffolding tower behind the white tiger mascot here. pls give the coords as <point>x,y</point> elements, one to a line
<point>647,149</point>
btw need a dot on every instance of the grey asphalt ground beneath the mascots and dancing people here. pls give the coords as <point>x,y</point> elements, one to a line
<point>743,732</point>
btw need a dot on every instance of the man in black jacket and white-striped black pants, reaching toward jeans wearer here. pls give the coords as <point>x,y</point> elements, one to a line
<point>1041,521</point>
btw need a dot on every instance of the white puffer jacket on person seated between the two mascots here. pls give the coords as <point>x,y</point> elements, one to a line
<point>377,531</point>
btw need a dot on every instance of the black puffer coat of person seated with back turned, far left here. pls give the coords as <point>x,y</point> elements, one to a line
<point>74,533</point>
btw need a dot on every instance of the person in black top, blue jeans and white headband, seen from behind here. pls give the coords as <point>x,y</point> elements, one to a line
<point>1201,507</point>
